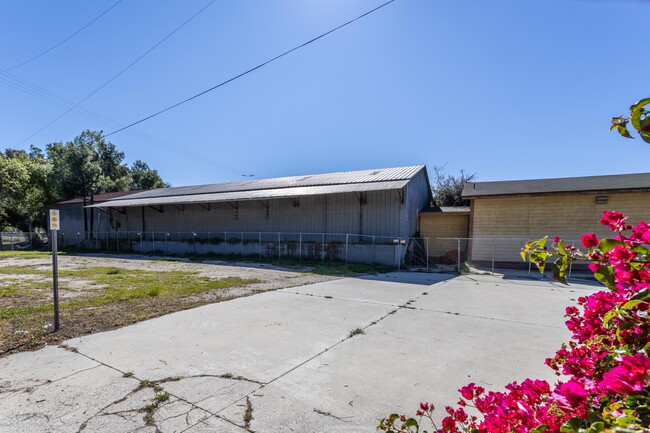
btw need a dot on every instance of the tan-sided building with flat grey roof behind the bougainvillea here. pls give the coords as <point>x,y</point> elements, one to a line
<point>505,214</point>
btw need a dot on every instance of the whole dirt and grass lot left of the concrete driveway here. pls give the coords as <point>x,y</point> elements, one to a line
<point>103,292</point>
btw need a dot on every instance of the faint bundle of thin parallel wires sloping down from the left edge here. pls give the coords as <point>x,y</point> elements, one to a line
<point>59,101</point>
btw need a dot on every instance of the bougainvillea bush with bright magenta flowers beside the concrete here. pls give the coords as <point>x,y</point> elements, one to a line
<point>604,369</point>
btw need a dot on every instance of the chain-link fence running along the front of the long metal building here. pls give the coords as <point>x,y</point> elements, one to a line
<point>450,254</point>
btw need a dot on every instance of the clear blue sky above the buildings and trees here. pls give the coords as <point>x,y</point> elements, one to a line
<point>507,89</point>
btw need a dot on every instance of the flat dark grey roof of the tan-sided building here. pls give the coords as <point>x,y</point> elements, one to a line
<point>618,182</point>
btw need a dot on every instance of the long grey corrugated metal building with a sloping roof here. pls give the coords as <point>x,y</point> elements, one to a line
<point>365,208</point>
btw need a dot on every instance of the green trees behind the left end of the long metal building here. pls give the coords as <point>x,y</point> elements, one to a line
<point>85,166</point>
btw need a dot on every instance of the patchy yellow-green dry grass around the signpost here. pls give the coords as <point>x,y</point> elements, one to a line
<point>95,299</point>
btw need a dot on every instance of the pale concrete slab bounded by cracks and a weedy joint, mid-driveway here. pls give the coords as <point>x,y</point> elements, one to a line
<point>258,337</point>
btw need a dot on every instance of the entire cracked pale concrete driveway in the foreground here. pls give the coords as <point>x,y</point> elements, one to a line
<point>284,361</point>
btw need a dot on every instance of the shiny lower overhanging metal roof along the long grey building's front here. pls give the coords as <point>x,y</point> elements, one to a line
<point>254,194</point>
